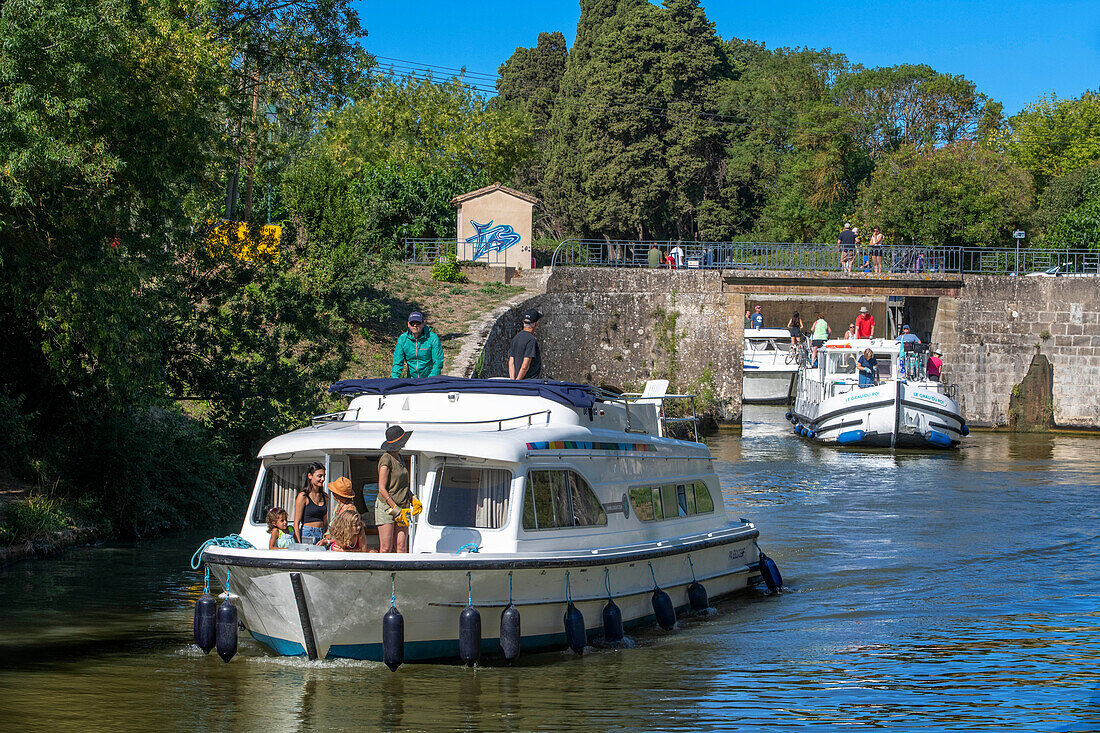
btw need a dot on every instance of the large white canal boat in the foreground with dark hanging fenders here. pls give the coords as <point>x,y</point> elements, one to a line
<point>536,496</point>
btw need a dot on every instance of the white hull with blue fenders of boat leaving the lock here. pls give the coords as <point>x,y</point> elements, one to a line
<point>896,414</point>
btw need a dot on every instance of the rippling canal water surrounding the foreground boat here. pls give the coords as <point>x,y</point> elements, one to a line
<point>939,592</point>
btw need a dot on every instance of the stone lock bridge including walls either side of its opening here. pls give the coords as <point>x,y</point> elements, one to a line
<point>623,326</point>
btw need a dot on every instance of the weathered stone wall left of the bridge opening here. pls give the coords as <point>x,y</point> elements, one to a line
<point>622,327</point>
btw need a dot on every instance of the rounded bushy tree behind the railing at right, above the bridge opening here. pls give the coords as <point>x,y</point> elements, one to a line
<point>958,195</point>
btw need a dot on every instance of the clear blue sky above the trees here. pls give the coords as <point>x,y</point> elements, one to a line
<point>1016,51</point>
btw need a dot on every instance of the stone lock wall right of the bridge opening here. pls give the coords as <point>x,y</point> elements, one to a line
<point>995,329</point>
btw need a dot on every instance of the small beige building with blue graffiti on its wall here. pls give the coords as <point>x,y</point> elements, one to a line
<point>496,226</point>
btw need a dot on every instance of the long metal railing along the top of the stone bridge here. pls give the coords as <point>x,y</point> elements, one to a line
<point>823,257</point>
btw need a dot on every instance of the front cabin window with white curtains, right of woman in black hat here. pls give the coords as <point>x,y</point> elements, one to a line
<point>470,498</point>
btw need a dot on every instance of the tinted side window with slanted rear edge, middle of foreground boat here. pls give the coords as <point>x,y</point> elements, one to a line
<point>560,499</point>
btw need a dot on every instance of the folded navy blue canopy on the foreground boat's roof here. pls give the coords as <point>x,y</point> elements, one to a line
<point>566,393</point>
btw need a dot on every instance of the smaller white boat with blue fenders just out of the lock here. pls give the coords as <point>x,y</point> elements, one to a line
<point>903,409</point>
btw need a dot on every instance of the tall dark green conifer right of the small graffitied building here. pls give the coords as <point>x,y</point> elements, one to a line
<point>634,152</point>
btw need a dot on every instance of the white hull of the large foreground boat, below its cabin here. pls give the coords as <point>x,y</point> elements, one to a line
<point>346,599</point>
